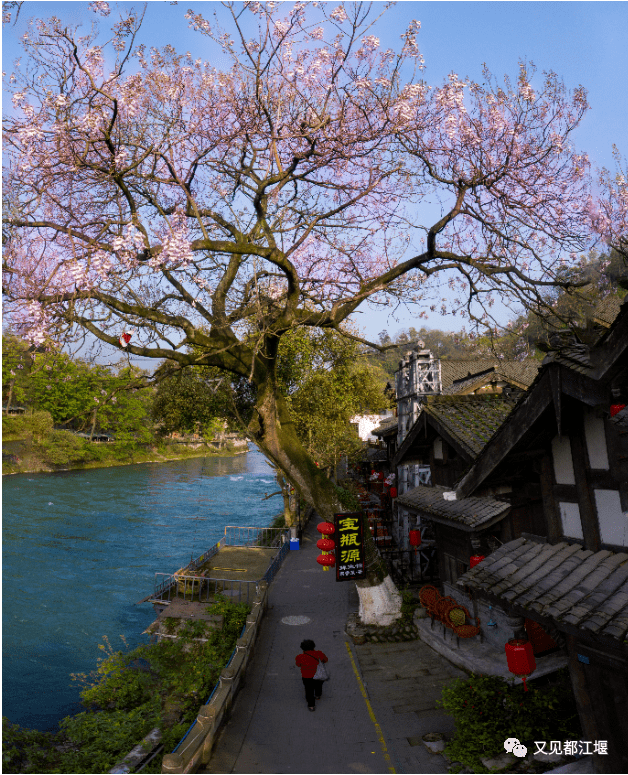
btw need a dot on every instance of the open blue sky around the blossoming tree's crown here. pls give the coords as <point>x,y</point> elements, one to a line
<point>583,42</point>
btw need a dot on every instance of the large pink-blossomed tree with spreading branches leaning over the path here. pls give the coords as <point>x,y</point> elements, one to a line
<point>208,212</point>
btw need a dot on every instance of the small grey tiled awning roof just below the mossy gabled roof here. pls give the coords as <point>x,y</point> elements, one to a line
<point>469,512</point>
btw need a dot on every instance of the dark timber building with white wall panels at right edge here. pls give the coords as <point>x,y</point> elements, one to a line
<point>561,462</point>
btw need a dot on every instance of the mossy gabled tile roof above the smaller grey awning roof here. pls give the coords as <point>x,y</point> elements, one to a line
<point>471,420</point>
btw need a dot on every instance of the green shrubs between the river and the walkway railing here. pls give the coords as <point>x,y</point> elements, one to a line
<point>124,703</point>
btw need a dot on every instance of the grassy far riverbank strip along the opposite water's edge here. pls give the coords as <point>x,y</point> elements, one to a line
<point>24,456</point>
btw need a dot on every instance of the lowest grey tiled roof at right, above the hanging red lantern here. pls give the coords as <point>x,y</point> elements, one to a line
<point>571,585</point>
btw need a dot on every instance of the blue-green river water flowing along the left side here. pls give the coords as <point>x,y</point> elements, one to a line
<point>80,549</point>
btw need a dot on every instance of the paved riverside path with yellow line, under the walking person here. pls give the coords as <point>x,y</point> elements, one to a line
<point>358,727</point>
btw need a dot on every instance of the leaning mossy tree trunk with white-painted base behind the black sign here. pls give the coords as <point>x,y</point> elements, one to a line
<point>273,431</point>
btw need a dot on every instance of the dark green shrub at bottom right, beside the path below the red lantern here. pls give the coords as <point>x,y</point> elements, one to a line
<point>488,709</point>
